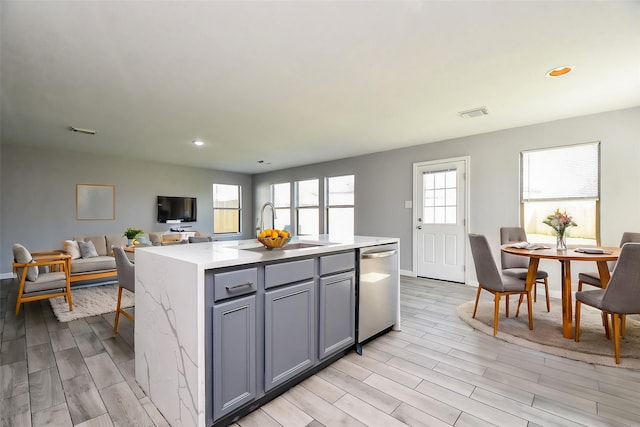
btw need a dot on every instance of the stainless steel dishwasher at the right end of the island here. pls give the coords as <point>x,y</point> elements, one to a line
<point>378,288</point>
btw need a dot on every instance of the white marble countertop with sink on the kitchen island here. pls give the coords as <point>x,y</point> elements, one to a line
<point>238,252</point>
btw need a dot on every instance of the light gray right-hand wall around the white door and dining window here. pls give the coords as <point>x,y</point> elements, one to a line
<point>384,180</point>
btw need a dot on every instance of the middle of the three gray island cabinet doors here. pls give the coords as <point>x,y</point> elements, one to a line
<point>289,332</point>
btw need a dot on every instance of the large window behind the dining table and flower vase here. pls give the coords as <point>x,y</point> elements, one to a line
<point>565,178</point>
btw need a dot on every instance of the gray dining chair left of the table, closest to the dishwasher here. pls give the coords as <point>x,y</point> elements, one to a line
<point>491,280</point>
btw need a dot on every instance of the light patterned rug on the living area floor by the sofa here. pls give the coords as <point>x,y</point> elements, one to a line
<point>91,301</point>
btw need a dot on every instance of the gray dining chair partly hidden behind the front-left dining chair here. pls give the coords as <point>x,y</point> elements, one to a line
<point>517,266</point>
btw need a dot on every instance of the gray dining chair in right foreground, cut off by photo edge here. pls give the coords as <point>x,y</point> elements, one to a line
<point>621,296</point>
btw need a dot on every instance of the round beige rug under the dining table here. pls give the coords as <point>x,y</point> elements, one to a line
<point>546,335</point>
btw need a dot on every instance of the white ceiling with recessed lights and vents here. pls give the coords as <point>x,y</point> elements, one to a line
<point>293,83</point>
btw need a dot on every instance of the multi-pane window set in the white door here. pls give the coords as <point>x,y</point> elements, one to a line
<point>440,197</point>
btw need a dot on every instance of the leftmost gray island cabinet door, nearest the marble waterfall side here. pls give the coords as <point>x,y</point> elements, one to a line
<point>234,354</point>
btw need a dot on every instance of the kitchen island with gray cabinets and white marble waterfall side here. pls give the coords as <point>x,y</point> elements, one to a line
<point>223,326</point>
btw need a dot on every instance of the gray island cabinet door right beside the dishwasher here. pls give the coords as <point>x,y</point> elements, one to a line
<point>337,329</point>
